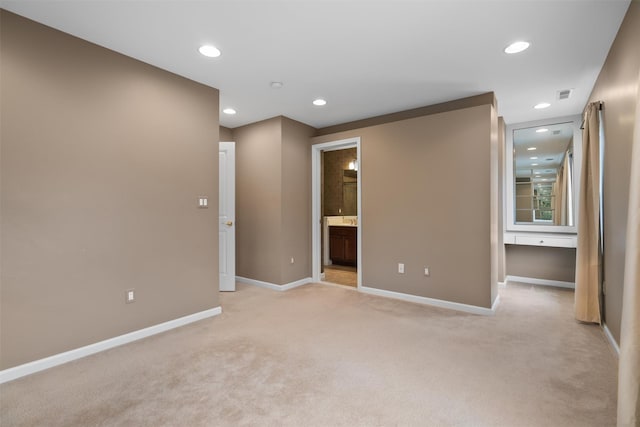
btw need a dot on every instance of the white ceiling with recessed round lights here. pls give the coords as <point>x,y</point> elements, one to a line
<point>365,58</point>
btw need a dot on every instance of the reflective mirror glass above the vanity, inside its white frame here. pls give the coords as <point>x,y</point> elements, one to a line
<point>543,175</point>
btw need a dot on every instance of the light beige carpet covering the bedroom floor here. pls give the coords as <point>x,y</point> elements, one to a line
<point>327,356</point>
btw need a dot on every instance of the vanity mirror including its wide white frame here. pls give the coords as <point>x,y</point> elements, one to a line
<point>542,175</point>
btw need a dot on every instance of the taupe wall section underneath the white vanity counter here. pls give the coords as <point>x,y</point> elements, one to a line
<point>541,262</point>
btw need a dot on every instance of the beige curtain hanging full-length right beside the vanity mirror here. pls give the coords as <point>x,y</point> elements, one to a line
<point>587,295</point>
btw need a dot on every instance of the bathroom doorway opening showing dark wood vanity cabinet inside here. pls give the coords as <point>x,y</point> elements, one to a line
<point>336,169</point>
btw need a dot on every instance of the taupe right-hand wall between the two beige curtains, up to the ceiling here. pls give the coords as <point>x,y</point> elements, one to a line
<point>617,86</point>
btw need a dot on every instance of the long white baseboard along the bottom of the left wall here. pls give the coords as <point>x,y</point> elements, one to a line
<point>78,353</point>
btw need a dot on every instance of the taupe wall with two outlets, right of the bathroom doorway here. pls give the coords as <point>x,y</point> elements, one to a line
<point>427,191</point>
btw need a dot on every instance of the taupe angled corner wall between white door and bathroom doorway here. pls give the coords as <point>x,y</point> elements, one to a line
<point>273,200</point>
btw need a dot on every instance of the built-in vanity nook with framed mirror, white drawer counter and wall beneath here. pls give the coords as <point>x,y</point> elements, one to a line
<point>542,175</point>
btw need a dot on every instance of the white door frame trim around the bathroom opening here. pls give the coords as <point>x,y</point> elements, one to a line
<point>316,202</point>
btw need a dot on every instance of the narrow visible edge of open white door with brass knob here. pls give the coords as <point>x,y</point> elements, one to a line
<point>226,223</point>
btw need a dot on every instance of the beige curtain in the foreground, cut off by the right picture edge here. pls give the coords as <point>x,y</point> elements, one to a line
<point>629,366</point>
